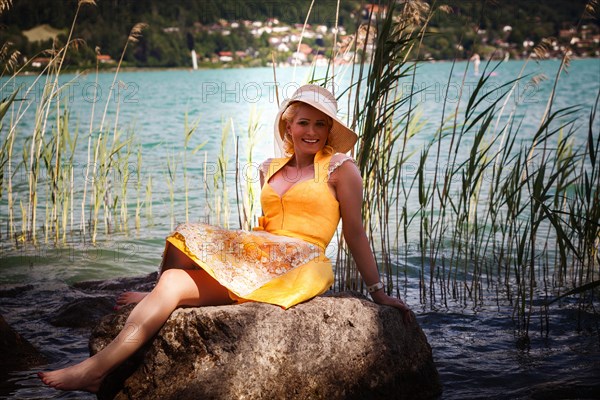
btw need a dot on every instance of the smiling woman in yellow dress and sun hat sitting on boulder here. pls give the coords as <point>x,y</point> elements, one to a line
<point>282,262</point>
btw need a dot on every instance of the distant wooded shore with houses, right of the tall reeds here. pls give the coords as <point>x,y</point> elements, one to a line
<point>501,27</point>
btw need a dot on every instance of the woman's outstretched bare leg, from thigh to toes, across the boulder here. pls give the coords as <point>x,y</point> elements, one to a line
<point>175,288</point>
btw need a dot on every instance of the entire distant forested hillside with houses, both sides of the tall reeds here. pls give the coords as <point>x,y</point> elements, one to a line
<point>177,26</point>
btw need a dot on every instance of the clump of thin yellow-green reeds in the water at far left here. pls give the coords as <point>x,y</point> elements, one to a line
<point>48,158</point>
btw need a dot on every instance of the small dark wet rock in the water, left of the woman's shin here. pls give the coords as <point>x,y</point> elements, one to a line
<point>84,312</point>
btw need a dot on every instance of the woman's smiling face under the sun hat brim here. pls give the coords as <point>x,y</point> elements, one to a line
<point>309,130</point>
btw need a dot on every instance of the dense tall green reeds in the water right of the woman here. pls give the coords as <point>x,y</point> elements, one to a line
<point>496,210</point>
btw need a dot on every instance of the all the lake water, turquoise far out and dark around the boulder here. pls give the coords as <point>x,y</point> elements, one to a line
<point>476,349</point>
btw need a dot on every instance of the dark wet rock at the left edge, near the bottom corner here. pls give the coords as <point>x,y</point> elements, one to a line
<point>17,353</point>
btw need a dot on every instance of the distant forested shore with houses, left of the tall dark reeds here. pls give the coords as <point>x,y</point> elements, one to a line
<point>108,23</point>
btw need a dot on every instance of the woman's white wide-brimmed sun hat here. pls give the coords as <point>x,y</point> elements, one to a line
<point>341,138</point>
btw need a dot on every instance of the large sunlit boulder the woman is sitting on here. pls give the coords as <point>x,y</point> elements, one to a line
<point>332,347</point>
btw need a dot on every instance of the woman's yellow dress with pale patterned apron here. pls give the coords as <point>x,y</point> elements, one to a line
<point>283,260</point>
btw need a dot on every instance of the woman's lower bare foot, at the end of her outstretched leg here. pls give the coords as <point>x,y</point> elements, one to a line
<point>77,377</point>
